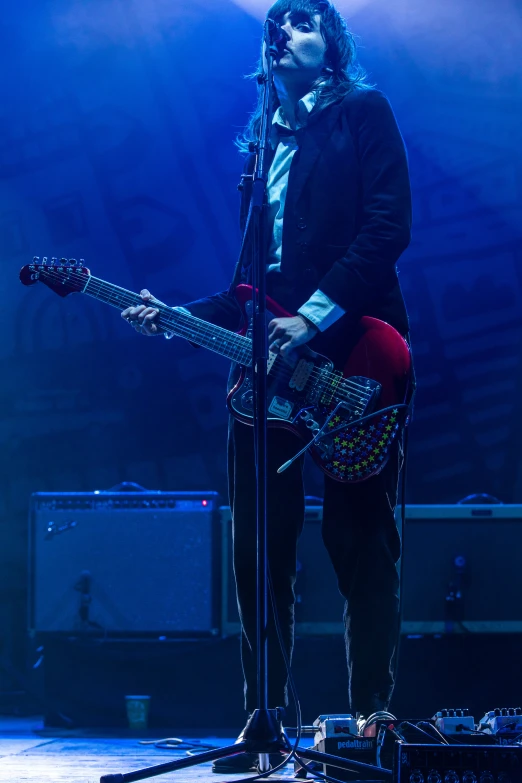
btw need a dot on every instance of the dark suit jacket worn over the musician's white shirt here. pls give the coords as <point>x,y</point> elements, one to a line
<point>347,218</point>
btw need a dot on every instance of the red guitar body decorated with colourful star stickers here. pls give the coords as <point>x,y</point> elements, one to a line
<point>373,384</point>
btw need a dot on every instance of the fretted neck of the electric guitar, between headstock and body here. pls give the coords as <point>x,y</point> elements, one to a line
<point>229,344</point>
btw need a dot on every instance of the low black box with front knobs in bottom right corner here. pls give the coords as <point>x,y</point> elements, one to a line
<point>458,764</point>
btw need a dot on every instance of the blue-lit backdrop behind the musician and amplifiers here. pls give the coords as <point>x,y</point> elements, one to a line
<point>116,128</point>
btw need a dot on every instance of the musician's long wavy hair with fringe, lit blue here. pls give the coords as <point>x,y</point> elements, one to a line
<point>342,72</point>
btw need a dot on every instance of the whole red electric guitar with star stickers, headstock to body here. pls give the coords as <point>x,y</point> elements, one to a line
<point>347,418</point>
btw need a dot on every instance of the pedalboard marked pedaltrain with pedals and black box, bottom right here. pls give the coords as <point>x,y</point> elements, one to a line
<point>449,748</point>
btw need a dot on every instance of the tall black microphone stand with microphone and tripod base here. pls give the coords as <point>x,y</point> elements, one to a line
<point>263,733</point>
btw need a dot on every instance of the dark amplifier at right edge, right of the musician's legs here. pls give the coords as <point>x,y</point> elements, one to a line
<point>461,570</point>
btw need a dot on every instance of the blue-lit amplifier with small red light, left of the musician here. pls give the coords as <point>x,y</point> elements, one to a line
<point>124,562</point>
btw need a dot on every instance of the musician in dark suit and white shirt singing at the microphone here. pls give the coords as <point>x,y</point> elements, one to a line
<point>339,219</point>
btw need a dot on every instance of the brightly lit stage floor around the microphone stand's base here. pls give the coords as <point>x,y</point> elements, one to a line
<point>28,755</point>
